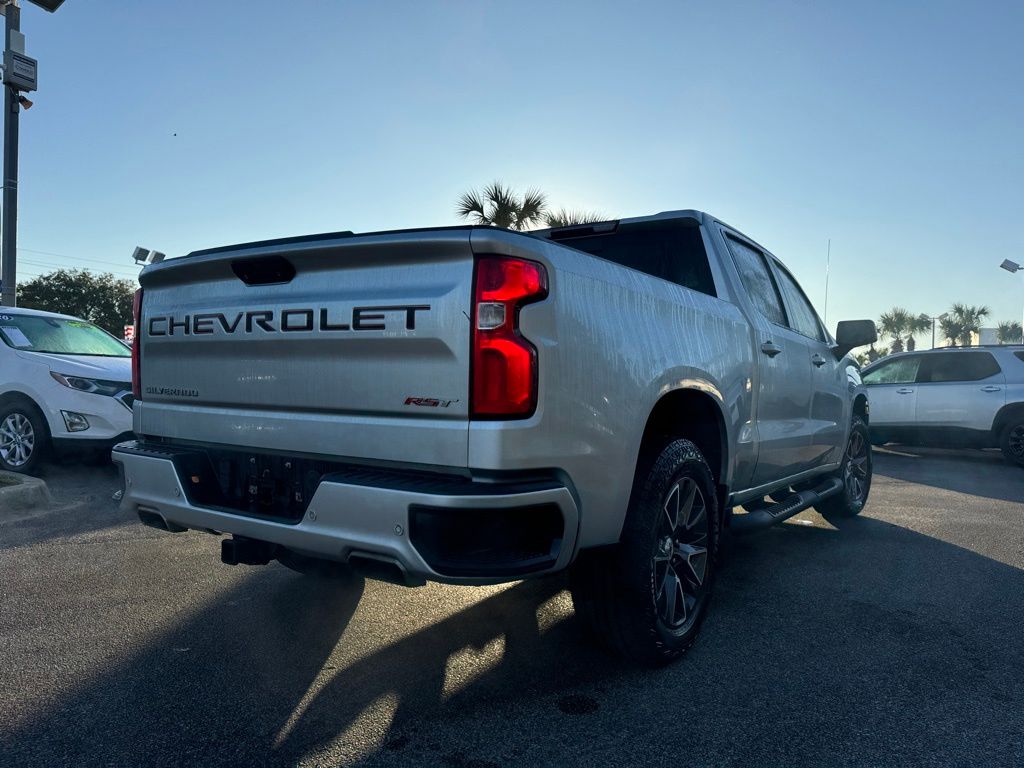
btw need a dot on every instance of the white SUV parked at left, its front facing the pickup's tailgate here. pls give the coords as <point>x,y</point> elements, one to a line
<point>65,383</point>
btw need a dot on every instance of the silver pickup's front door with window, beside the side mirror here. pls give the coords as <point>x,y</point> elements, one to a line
<point>828,417</point>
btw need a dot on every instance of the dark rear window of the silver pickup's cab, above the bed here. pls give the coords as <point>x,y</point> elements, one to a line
<point>670,250</point>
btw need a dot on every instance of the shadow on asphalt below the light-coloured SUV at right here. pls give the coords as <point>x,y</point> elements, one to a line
<point>984,474</point>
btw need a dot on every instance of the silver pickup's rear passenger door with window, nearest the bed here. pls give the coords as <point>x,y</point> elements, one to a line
<point>784,394</point>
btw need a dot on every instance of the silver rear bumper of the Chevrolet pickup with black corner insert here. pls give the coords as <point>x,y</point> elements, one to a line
<point>431,528</point>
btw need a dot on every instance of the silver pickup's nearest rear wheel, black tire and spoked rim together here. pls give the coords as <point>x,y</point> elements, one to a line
<point>648,598</point>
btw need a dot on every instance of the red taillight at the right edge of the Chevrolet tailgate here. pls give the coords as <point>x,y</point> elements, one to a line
<point>504,366</point>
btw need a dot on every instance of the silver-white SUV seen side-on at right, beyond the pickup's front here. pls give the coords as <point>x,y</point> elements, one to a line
<point>954,398</point>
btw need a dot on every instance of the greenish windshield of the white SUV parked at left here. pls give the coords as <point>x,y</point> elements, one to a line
<point>59,336</point>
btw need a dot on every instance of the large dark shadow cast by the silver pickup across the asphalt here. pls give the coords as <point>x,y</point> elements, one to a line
<point>810,624</point>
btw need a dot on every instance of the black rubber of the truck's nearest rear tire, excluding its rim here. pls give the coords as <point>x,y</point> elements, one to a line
<point>613,588</point>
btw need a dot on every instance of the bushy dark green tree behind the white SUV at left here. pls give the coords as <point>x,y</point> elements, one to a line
<point>100,298</point>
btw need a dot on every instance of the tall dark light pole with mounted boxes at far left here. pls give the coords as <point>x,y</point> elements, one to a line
<point>19,75</point>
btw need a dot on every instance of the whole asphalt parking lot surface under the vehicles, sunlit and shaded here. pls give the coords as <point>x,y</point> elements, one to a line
<point>894,638</point>
